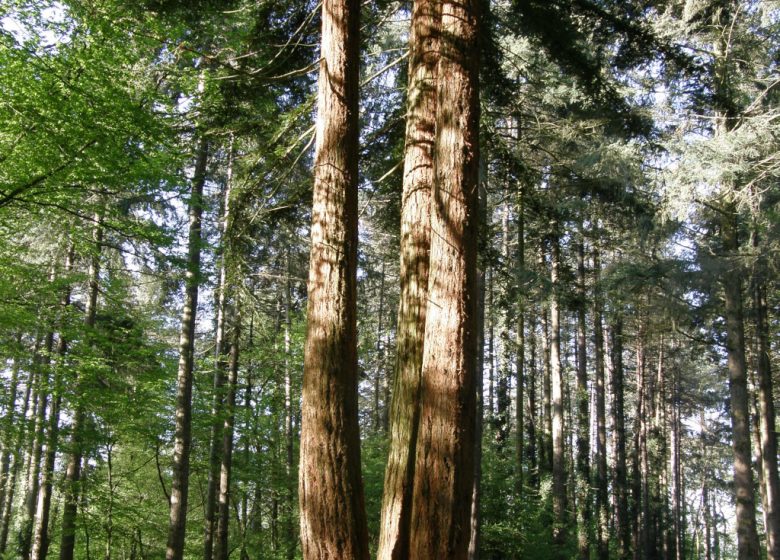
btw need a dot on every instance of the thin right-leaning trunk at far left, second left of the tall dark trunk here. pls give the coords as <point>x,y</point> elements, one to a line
<point>41,526</point>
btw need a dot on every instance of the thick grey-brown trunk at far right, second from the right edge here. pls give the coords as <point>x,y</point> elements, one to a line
<point>747,535</point>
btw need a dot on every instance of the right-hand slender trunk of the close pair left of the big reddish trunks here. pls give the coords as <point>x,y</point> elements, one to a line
<point>222,551</point>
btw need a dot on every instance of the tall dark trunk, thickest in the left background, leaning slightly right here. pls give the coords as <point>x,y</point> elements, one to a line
<point>183,423</point>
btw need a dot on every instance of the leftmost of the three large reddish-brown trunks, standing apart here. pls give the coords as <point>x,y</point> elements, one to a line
<point>333,522</point>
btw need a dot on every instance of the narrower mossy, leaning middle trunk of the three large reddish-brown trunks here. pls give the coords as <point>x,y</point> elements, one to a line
<point>415,245</point>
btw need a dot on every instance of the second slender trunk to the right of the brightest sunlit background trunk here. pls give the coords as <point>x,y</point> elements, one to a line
<point>602,497</point>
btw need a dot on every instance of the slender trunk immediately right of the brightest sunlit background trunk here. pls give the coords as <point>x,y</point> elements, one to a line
<point>583,421</point>
